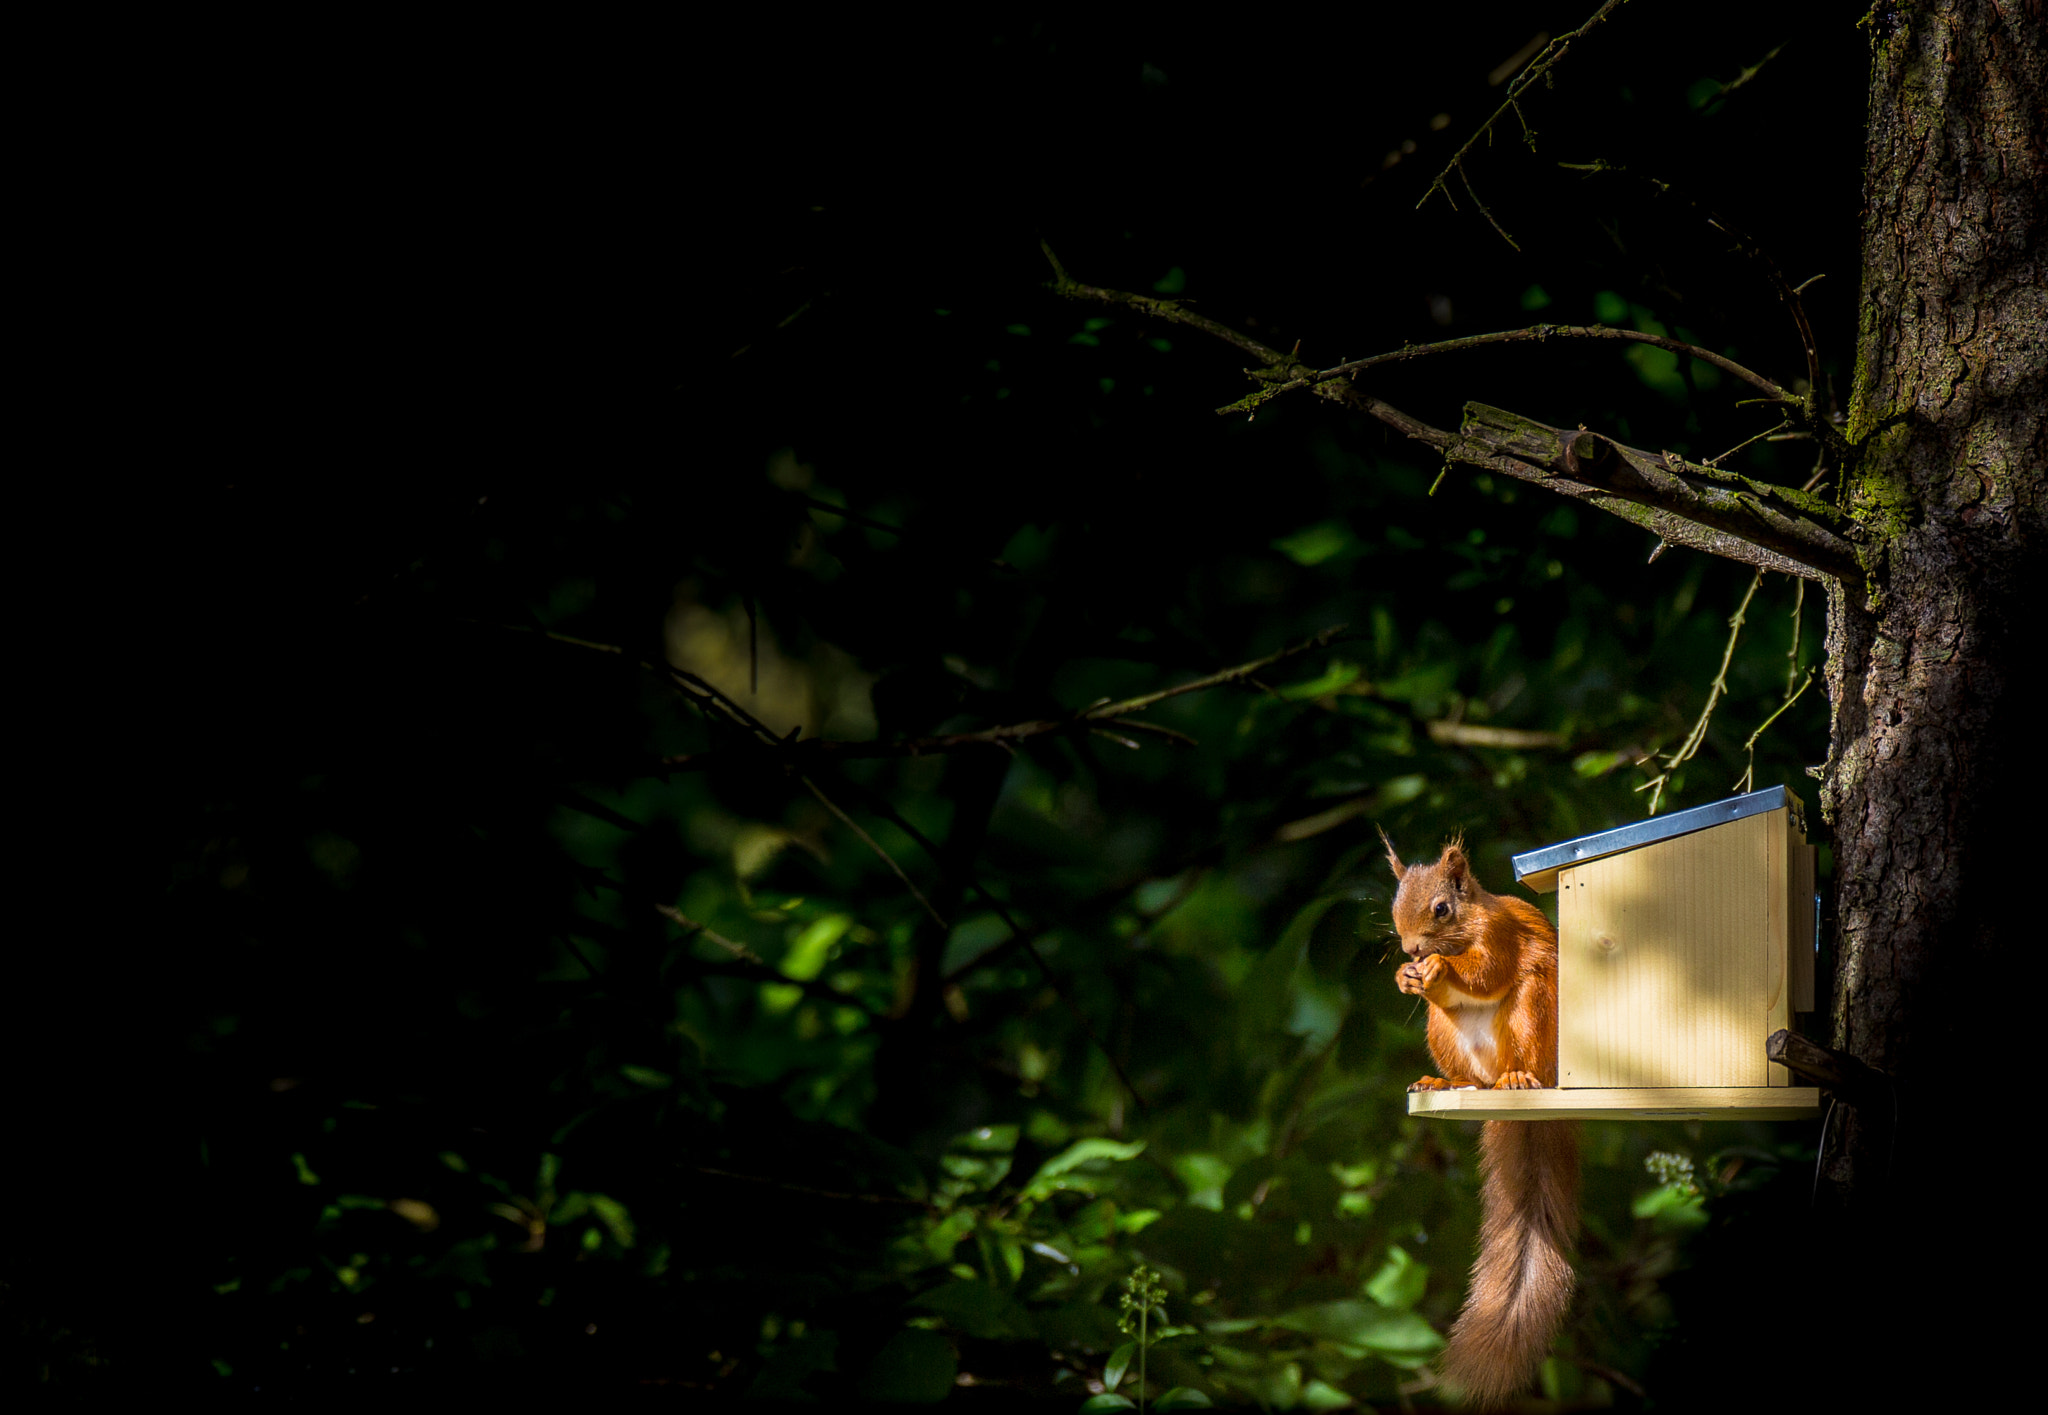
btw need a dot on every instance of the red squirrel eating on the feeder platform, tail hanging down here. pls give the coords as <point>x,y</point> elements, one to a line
<point>1488,970</point>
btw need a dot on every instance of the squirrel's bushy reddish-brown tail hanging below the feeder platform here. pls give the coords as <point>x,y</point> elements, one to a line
<point>1523,1277</point>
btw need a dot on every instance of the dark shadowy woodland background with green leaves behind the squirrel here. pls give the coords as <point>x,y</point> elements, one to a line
<point>368,1052</point>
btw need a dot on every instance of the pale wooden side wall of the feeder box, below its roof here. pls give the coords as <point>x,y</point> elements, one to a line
<point>1666,961</point>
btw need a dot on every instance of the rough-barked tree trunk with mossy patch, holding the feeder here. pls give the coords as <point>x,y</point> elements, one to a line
<point>1951,427</point>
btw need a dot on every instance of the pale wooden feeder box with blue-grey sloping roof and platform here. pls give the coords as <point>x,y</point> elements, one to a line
<point>1684,943</point>
